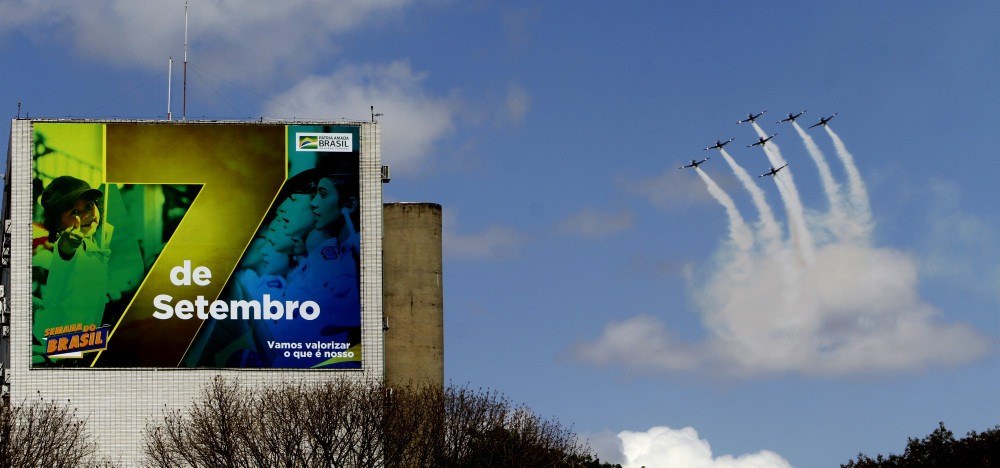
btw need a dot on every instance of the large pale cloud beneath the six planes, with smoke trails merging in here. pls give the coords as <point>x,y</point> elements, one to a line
<point>854,308</point>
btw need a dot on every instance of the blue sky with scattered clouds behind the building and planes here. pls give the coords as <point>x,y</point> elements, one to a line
<point>586,276</point>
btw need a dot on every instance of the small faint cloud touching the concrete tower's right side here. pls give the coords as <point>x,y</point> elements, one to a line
<point>491,243</point>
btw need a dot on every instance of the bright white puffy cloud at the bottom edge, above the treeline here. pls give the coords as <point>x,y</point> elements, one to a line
<point>663,447</point>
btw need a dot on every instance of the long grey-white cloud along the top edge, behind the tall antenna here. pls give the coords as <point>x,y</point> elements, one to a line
<point>237,38</point>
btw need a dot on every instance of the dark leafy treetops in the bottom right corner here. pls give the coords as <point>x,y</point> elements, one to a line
<point>940,449</point>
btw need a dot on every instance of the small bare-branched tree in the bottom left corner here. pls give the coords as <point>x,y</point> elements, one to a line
<point>45,433</point>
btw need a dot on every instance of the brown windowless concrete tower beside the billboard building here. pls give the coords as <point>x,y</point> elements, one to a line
<point>413,297</point>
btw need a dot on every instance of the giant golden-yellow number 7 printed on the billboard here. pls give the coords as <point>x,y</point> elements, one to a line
<point>241,169</point>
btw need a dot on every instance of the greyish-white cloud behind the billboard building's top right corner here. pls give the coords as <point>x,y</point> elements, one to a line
<point>412,120</point>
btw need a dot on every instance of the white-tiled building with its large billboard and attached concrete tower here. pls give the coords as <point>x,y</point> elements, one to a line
<point>252,251</point>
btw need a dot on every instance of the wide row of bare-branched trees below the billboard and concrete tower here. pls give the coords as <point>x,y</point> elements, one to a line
<point>358,424</point>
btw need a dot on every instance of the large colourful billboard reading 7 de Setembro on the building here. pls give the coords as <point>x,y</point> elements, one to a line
<point>162,245</point>
